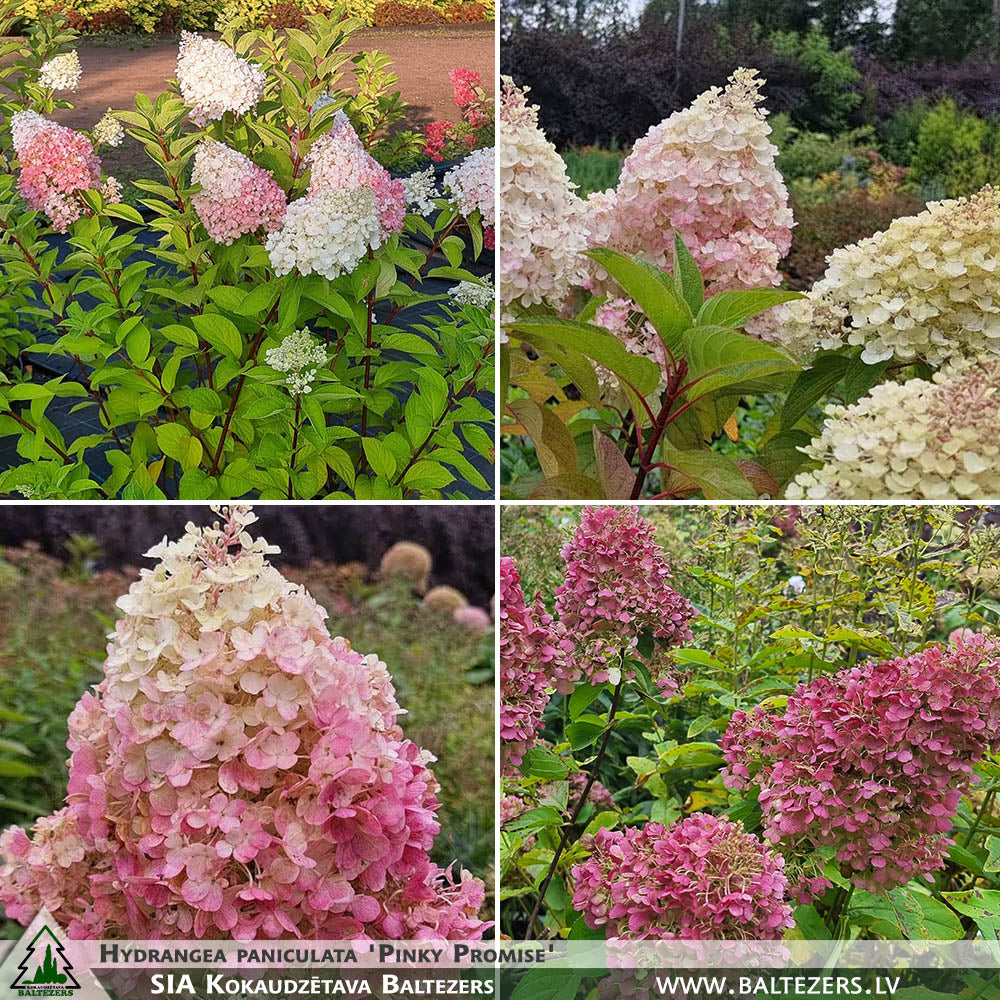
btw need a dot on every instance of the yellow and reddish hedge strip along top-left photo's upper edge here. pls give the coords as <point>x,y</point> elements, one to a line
<point>170,16</point>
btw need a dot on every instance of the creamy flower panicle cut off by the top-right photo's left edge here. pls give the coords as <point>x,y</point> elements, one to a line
<point>542,230</point>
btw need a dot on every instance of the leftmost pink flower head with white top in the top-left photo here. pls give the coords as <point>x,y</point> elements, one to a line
<point>56,164</point>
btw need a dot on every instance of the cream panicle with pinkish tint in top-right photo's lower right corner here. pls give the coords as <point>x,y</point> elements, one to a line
<point>918,440</point>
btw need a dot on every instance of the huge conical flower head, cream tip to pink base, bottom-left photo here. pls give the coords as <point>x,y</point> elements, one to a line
<point>237,773</point>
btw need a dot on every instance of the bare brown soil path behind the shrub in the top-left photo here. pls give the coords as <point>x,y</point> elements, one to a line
<point>422,58</point>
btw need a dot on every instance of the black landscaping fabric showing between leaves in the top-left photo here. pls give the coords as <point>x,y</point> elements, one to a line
<point>87,420</point>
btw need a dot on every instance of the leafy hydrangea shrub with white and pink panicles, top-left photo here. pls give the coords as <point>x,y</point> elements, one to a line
<point>270,218</point>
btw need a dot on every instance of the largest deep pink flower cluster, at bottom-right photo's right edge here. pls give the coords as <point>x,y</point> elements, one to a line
<point>873,761</point>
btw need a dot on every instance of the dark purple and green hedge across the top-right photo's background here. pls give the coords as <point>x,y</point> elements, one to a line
<point>593,90</point>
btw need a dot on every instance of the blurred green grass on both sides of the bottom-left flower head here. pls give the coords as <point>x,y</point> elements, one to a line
<point>52,638</point>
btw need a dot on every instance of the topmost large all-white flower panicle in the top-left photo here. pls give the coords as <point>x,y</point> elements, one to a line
<point>214,79</point>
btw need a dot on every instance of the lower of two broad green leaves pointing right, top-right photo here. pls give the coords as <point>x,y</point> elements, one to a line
<point>721,358</point>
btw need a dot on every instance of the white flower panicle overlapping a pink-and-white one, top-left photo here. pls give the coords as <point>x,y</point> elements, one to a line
<point>327,233</point>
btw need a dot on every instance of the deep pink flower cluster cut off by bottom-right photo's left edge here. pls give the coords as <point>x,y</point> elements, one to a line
<point>536,656</point>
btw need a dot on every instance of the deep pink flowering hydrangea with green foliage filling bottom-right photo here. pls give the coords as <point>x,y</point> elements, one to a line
<point>747,723</point>
